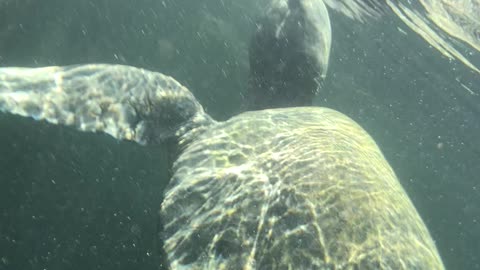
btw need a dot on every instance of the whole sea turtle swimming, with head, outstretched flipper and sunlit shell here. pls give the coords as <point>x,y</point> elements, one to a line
<point>284,188</point>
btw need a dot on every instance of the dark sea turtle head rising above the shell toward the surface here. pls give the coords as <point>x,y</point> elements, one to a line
<point>289,54</point>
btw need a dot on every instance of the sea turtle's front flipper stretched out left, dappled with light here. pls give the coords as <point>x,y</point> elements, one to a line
<point>125,102</point>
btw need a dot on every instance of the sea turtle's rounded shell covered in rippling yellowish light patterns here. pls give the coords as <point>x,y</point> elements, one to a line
<point>296,188</point>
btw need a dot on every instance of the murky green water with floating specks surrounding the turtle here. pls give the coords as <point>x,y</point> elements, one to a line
<point>72,200</point>
